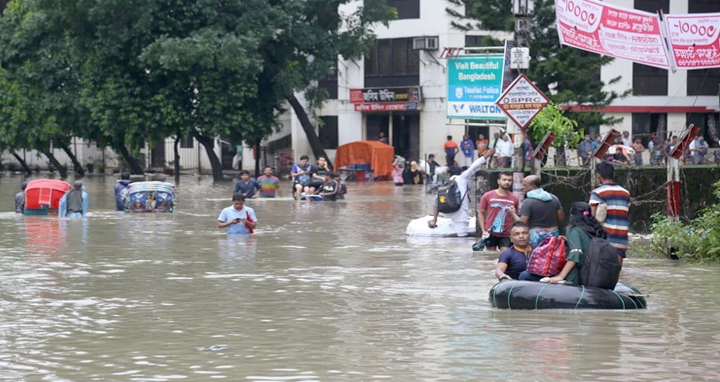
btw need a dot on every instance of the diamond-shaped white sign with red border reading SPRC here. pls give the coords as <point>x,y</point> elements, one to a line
<point>522,101</point>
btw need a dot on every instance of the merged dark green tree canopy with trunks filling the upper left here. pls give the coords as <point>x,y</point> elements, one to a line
<point>129,72</point>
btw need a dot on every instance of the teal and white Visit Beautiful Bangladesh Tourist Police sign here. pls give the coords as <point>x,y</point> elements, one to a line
<point>474,84</point>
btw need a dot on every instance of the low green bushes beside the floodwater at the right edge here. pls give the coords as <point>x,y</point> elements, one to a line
<point>697,241</point>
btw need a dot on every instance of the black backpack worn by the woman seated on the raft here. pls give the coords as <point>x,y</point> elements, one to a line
<point>601,268</point>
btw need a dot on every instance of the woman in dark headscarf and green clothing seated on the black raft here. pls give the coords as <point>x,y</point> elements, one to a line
<point>582,226</point>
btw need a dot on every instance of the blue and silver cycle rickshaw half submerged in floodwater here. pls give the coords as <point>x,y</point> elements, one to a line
<point>150,197</point>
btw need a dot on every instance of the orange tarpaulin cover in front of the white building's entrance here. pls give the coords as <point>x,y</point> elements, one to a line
<point>375,153</point>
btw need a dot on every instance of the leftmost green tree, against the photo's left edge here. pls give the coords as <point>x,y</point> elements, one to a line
<point>38,79</point>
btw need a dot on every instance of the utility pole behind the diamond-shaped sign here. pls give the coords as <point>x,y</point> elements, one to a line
<point>520,61</point>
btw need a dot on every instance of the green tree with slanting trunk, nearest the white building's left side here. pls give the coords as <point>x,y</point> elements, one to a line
<point>302,44</point>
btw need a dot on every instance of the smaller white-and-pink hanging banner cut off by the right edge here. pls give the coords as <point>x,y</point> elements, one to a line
<point>694,40</point>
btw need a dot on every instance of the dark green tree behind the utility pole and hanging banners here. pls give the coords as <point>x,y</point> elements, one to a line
<point>568,76</point>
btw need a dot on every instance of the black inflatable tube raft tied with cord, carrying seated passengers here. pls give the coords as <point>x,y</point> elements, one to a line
<point>514,294</point>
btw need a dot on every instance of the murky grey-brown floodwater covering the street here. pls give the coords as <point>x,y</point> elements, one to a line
<point>322,292</point>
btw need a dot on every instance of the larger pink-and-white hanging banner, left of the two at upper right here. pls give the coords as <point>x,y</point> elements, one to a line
<point>612,31</point>
